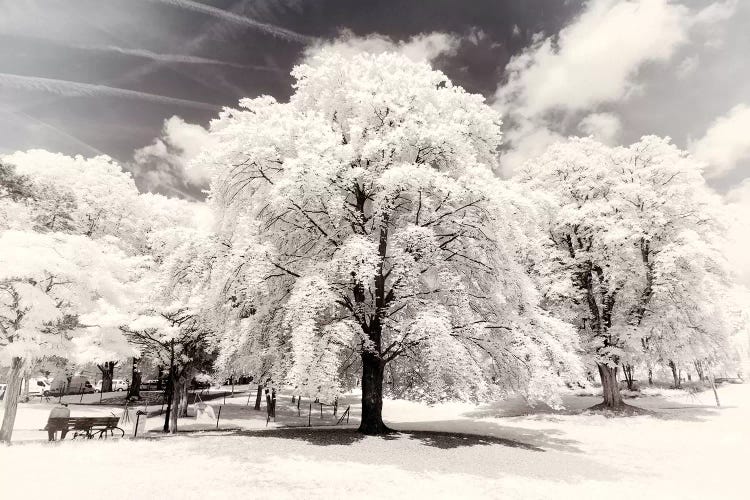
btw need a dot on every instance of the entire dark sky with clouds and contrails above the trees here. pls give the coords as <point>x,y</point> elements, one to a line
<point>139,80</point>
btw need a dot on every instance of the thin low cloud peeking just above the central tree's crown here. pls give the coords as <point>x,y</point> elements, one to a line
<point>423,47</point>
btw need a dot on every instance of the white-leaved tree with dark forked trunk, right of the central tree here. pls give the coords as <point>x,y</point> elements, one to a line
<point>635,241</point>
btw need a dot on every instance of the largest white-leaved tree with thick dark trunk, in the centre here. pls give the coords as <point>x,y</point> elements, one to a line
<point>362,214</point>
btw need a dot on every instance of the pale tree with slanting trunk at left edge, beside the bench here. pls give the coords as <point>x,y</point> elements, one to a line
<point>47,282</point>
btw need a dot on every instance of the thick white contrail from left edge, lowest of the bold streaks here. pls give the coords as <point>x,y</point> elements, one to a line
<point>78,89</point>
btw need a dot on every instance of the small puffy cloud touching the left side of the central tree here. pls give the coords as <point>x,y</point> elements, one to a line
<point>165,165</point>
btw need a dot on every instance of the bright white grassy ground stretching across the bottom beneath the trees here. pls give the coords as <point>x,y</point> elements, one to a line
<point>688,449</point>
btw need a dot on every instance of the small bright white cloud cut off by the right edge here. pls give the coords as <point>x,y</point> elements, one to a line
<point>726,143</point>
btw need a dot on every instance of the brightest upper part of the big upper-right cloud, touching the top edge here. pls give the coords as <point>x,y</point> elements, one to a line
<point>594,60</point>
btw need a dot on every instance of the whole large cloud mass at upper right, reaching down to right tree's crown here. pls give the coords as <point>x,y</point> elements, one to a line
<point>606,57</point>
